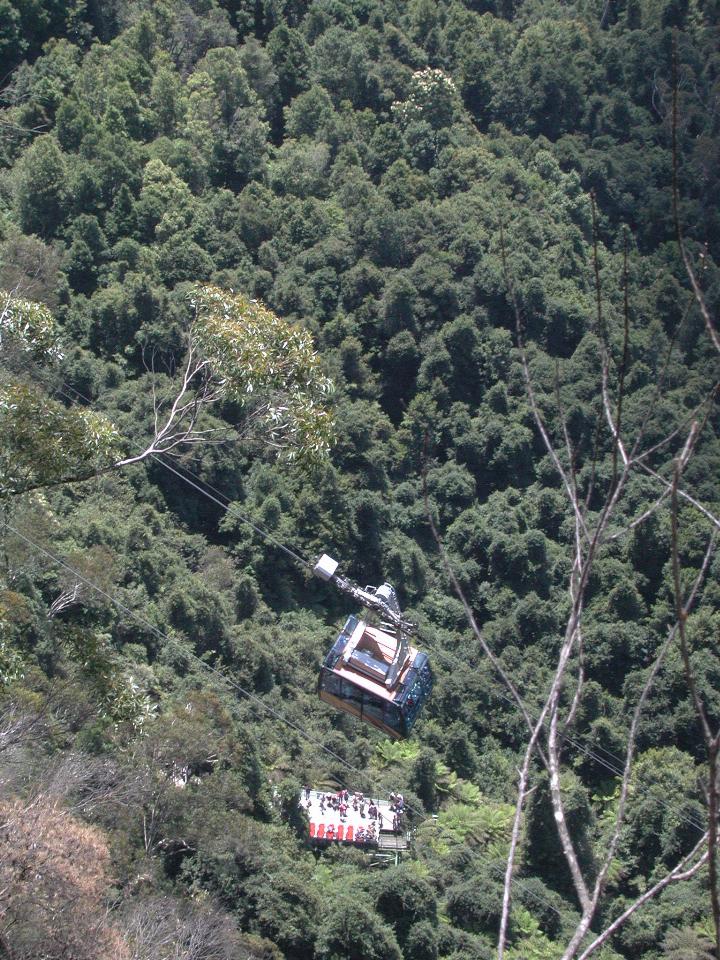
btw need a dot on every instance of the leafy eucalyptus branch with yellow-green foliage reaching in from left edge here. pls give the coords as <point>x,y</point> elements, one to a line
<point>236,350</point>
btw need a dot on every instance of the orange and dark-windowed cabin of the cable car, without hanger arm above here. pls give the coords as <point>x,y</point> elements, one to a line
<point>354,678</point>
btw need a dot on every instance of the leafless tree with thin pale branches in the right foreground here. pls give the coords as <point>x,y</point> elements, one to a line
<point>547,731</point>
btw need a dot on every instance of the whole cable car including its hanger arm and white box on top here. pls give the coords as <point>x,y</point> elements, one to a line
<point>371,671</point>
